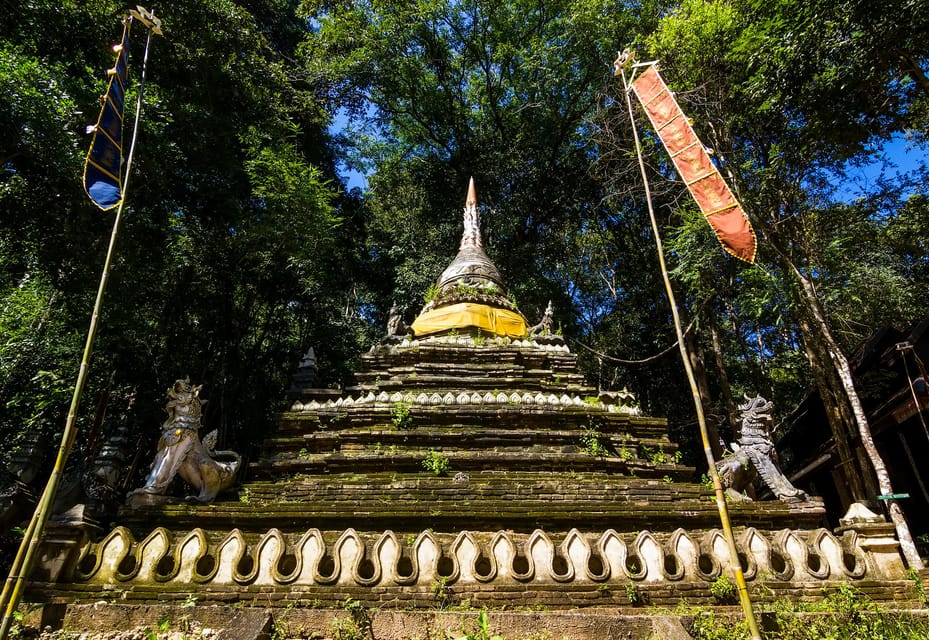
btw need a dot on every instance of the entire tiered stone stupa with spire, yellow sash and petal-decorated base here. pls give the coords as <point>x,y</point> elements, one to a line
<point>470,464</point>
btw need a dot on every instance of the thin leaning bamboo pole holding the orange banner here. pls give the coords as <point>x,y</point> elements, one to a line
<point>734,564</point>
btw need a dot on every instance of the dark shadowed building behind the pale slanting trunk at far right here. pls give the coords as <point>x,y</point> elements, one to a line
<point>891,376</point>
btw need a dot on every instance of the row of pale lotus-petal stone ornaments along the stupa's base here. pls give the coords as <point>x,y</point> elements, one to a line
<point>470,558</point>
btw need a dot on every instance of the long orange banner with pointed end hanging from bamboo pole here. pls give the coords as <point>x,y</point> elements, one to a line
<point>706,185</point>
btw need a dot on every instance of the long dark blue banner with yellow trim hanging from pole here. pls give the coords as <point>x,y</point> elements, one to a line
<point>103,167</point>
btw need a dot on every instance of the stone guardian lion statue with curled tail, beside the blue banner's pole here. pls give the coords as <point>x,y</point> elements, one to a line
<point>182,453</point>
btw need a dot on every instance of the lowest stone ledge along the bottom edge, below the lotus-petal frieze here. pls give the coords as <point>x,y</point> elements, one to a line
<point>296,617</point>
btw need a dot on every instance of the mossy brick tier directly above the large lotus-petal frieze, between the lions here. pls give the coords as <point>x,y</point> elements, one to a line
<point>398,502</point>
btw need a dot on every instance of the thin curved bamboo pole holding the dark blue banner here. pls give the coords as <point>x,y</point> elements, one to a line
<point>32,538</point>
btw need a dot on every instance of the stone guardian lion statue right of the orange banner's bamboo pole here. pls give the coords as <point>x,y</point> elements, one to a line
<point>754,456</point>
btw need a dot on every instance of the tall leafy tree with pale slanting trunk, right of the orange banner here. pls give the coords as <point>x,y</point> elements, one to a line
<point>782,142</point>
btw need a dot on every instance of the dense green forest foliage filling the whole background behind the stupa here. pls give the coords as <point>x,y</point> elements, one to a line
<point>243,246</point>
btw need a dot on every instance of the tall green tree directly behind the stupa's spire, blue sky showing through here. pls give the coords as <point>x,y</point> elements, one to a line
<point>441,91</point>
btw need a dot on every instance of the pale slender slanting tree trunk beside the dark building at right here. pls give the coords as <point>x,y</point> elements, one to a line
<point>844,372</point>
